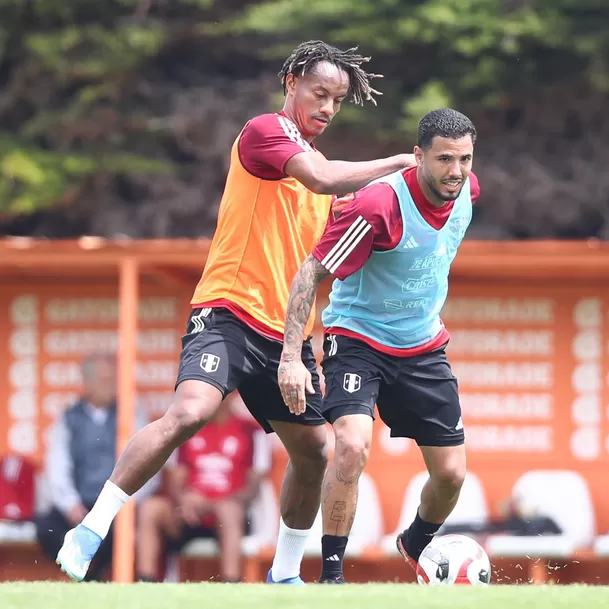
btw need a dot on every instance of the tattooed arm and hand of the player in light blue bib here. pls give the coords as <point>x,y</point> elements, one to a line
<point>294,378</point>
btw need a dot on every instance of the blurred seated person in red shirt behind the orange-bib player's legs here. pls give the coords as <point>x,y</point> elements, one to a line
<point>217,476</point>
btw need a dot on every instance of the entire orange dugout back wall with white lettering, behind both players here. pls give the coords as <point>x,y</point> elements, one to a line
<point>532,362</point>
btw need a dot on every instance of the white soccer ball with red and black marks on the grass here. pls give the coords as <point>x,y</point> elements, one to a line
<point>453,559</point>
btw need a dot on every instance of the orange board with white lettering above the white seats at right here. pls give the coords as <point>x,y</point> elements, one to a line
<point>532,364</point>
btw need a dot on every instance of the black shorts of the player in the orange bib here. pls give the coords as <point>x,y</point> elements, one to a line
<point>223,351</point>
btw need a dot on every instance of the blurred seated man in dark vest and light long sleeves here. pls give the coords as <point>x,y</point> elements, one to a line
<point>81,455</point>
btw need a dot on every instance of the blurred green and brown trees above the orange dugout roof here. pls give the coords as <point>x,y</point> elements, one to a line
<point>117,117</point>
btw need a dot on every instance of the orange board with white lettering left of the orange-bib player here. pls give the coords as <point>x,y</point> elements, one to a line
<point>47,330</point>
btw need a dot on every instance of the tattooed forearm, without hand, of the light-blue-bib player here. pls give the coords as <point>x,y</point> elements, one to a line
<point>302,296</point>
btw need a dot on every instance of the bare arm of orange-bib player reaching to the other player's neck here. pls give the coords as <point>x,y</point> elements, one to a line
<point>341,177</point>
